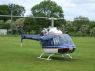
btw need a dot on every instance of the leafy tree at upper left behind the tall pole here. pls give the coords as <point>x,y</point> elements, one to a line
<point>17,10</point>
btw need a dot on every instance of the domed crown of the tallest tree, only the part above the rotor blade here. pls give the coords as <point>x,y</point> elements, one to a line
<point>47,8</point>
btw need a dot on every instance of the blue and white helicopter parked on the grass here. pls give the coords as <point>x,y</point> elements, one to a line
<point>52,40</point>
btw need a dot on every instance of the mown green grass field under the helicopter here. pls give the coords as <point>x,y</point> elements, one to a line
<point>16,58</point>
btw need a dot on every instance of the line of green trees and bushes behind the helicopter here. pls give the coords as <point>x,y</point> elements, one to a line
<point>80,26</point>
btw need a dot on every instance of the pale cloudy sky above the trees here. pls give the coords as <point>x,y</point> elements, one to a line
<point>71,8</point>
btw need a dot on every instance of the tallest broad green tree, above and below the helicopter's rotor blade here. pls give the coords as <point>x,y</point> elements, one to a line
<point>47,8</point>
